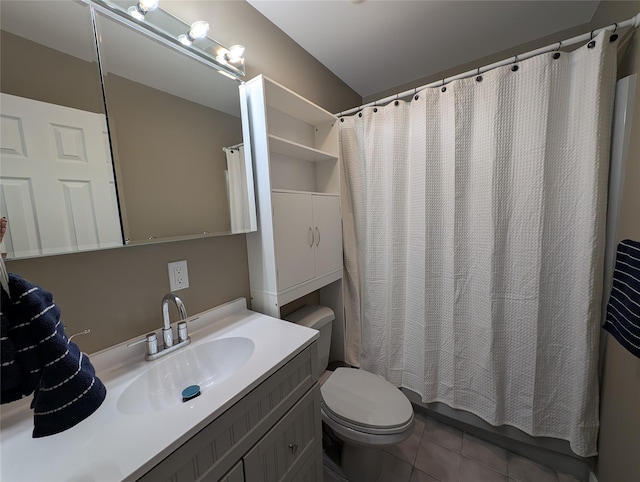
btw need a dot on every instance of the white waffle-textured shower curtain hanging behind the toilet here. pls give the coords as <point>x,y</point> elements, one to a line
<point>474,241</point>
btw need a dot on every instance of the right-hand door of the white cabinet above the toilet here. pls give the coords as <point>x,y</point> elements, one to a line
<point>328,234</point>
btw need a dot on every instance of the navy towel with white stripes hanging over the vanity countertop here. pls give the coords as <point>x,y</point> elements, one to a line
<point>37,357</point>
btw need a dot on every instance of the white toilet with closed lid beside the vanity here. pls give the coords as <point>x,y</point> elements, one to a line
<point>364,410</point>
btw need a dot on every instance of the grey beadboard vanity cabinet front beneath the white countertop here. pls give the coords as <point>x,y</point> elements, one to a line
<point>273,434</point>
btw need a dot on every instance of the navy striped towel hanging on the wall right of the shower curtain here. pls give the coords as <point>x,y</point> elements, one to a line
<point>623,310</point>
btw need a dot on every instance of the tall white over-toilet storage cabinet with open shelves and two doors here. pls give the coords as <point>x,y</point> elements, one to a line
<point>298,246</point>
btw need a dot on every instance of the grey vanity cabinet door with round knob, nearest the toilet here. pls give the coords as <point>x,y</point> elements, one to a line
<point>282,453</point>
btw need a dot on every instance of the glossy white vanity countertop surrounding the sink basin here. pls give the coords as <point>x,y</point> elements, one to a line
<point>112,446</point>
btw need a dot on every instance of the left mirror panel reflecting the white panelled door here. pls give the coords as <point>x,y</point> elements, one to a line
<point>57,185</point>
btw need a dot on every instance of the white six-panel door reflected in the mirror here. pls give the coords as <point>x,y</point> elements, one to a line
<point>56,178</point>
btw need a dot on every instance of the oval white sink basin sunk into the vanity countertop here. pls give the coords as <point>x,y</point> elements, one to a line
<point>207,365</point>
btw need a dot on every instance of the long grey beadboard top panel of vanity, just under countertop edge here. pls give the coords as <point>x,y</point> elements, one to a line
<point>213,451</point>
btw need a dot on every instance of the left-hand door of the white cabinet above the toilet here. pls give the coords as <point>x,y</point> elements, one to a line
<point>294,238</point>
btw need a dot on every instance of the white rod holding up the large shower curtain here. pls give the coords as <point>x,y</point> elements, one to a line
<point>632,22</point>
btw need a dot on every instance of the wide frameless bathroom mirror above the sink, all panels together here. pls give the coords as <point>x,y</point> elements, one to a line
<point>174,126</point>
